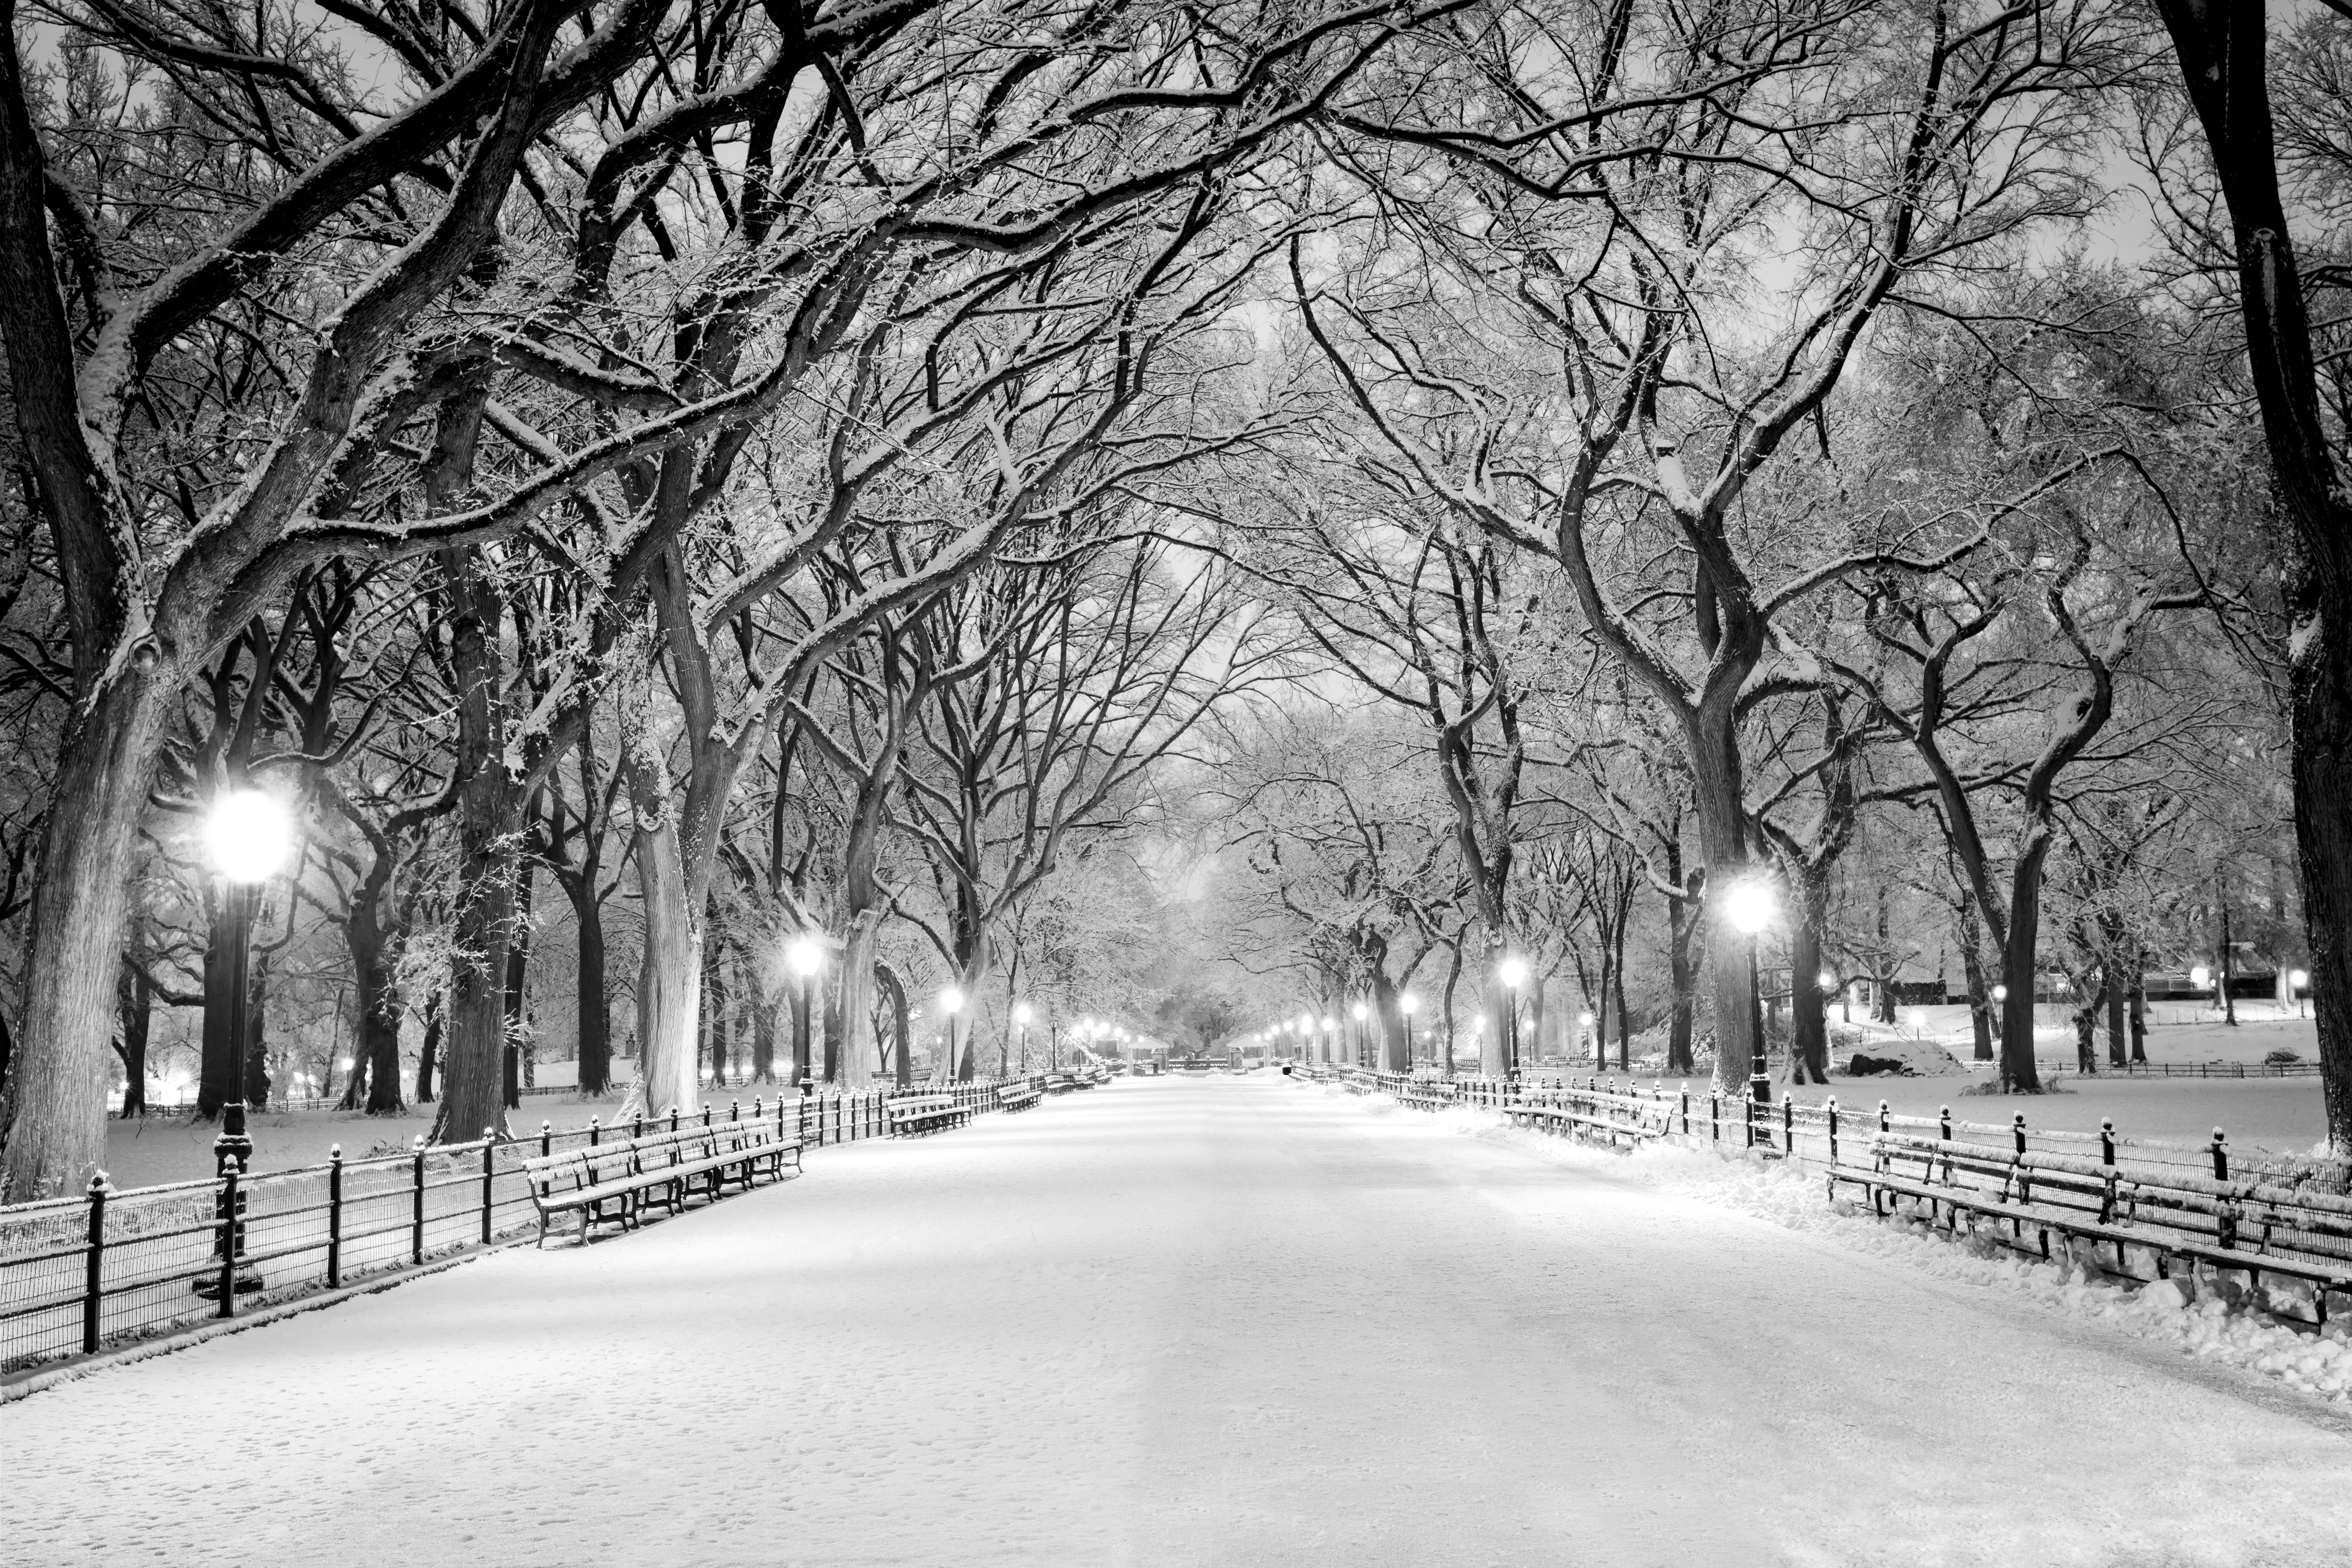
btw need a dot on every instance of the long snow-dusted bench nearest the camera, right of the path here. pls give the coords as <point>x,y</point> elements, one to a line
<point>2247,1226</point>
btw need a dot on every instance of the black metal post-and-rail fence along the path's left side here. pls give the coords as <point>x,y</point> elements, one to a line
<point>102,1268</point>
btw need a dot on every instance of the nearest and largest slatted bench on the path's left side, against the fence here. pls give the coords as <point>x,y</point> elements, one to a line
<point>610,1184</point>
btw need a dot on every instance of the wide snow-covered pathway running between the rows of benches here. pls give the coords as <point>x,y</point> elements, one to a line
<point>1180,1322</point>
